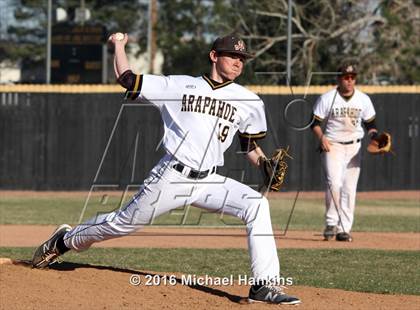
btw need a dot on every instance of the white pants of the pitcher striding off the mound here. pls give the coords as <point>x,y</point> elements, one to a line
<point>166,189</point>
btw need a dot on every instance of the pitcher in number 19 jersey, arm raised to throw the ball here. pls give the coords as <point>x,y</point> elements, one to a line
<point>201,115</point>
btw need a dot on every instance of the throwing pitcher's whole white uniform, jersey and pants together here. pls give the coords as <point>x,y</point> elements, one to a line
<point>200,118</point>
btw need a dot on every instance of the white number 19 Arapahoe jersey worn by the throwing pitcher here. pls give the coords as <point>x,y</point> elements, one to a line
<point>201,117</point>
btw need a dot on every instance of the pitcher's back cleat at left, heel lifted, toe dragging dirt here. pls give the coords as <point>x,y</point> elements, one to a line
<point>48,252</point>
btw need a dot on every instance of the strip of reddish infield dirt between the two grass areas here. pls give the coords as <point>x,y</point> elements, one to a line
<point>30,236</point>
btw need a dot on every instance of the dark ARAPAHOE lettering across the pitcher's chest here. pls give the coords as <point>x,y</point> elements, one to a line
<point>215,107</point>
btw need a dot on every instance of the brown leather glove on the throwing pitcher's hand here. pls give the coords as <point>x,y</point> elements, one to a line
<point>274,169</point>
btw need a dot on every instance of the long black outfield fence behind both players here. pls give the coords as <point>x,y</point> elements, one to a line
<point>63,141</point>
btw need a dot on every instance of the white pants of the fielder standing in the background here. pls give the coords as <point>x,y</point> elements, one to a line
<point>342,169</point>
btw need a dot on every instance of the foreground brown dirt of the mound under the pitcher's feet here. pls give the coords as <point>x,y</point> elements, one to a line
<point>91,287</point>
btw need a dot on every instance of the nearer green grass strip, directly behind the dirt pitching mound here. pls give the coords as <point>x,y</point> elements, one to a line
<point>377,271</point>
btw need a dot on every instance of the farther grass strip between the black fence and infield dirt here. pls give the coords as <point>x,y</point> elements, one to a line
<point>371,215</point>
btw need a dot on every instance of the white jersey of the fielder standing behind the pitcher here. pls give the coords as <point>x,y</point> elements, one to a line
<point>345,116</point>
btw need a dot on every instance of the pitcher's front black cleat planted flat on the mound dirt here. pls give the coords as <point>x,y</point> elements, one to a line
<point>271,294</point>
